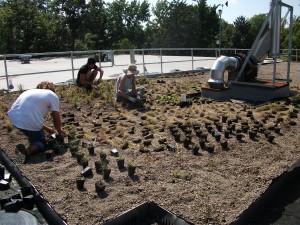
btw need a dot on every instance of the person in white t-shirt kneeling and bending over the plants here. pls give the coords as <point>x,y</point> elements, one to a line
<point>28,114</point>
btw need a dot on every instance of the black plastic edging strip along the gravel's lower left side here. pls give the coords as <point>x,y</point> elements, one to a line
<point>43,206</point>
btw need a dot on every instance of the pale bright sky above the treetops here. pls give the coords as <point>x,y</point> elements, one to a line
<point>246,8</point>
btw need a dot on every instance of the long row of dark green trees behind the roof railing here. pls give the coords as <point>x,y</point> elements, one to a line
<point>64,25</point>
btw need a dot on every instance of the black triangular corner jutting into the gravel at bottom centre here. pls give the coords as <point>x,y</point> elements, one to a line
<point>146,214</point>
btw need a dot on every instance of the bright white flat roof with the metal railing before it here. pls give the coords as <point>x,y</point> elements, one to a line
<point>62,66</point>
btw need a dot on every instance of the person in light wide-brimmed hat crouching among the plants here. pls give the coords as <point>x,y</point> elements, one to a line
<point>126,84</point>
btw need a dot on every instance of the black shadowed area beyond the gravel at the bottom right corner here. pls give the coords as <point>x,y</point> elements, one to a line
<point>280,204</point>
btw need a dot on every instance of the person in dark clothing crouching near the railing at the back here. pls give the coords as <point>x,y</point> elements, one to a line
<point>86,76</point>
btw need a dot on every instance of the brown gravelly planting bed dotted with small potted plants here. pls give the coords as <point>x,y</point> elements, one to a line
<point>206,161</point>
